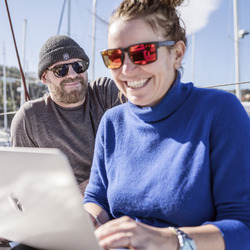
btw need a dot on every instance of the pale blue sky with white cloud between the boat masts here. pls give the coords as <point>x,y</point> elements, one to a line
<point>210,20</point>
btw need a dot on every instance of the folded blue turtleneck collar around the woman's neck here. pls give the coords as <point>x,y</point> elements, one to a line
<point>173,99</point>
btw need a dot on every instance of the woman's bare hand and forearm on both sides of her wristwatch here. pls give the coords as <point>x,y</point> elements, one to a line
<point>127,233</point>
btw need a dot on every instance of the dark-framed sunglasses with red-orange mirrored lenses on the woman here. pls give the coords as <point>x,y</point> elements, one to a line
<point>140,54</point>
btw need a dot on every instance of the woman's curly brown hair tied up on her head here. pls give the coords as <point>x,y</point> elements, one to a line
<point>161,15</point>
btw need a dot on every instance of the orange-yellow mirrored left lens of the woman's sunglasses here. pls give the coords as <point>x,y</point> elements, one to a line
<point>112,58</point>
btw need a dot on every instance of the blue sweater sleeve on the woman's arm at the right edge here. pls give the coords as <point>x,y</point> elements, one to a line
<point>230,166</point>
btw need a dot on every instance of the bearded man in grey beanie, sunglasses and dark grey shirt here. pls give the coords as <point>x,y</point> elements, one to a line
<point>68,116</point>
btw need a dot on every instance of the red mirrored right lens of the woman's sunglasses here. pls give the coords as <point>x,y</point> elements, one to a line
<point>143,53</point>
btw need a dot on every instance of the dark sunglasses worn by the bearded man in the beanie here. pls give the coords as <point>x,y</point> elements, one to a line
<point>63,69</point>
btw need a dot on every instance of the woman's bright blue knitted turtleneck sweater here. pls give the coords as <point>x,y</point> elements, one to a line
<point>183,162</point>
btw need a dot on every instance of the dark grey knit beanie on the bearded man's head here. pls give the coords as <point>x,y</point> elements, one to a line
<point>59,48</point>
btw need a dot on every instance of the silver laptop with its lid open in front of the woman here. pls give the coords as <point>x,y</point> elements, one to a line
<point>40,203</point>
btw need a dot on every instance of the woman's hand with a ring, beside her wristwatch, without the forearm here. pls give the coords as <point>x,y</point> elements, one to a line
<point>126,232</point>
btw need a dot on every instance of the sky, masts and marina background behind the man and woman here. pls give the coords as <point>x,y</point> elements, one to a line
<point>210,59</point>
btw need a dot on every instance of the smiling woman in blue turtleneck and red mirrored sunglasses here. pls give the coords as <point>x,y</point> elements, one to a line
<point>173,160</point>
